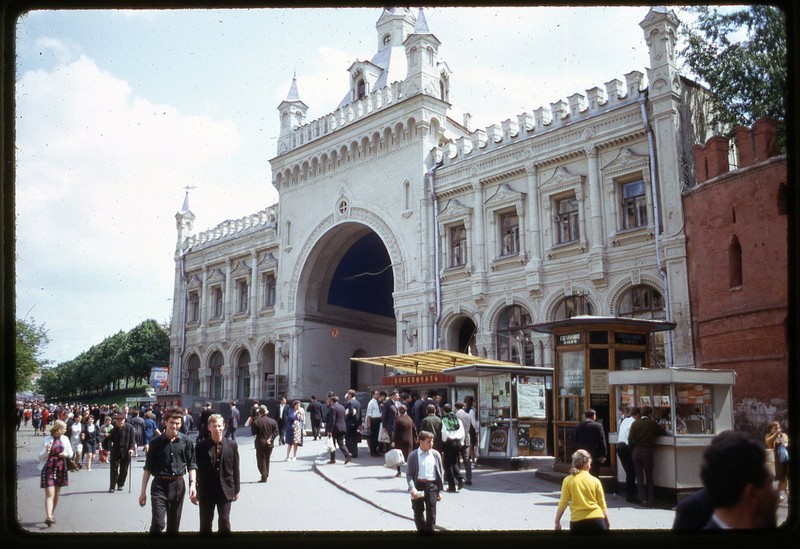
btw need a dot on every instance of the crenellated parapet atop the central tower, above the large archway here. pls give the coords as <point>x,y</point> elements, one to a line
<point>342,117</point>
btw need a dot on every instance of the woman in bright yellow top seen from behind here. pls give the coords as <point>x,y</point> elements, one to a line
<point>584,495</point>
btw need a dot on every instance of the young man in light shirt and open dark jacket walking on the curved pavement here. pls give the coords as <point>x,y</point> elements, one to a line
<point>425,477</point>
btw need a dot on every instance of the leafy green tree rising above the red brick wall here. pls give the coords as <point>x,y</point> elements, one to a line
<point>741,55</point>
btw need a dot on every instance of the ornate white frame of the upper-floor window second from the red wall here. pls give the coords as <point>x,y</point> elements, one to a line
<point>563,184</point>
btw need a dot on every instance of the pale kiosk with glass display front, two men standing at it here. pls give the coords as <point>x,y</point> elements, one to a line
<point>691,404</point>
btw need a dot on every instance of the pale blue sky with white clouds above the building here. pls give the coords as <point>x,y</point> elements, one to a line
<point>119,111</point>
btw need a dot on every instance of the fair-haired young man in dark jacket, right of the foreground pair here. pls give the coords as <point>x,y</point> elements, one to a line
<point>217,477</point>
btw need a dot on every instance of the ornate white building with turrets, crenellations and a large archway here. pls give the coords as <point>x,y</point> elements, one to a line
<point>398,228</point>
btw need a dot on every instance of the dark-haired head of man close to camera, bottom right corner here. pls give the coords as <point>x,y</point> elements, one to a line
<point>738,482</point>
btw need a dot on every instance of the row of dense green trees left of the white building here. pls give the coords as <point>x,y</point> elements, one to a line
<point>123,358</point>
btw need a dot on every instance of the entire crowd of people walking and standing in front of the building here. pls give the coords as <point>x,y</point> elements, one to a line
<point>433,439</point>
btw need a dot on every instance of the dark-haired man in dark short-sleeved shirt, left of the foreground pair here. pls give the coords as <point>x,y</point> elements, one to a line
<point>171,455</point>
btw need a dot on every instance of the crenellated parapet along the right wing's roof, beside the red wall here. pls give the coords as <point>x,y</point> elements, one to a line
<point>559,114</point>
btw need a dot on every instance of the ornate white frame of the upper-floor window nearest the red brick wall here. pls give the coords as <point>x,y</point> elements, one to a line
<point>627,167</point>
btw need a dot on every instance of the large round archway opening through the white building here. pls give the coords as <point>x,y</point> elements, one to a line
<point>345,308</point>
